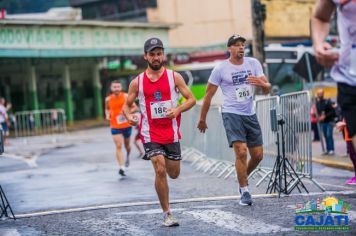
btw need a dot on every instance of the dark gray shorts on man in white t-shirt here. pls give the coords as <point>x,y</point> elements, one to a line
<point>241,128</point>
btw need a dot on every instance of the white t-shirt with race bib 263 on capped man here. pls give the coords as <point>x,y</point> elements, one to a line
<point>237,92</point>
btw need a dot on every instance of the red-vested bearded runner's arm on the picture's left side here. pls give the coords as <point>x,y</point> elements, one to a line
<point>130,102</point>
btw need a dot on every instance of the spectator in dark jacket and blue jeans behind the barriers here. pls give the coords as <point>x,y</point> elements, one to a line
<point>327,115</point>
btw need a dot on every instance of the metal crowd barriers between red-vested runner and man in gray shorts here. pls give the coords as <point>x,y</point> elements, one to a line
<point>207,152</point>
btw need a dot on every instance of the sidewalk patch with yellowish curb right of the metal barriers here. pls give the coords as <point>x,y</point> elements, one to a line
<point>340,160</point>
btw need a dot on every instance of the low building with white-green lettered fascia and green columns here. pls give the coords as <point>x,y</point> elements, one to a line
<point>59,64</point>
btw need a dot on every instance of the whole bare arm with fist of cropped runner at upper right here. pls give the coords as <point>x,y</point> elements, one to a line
<point>320,28</point>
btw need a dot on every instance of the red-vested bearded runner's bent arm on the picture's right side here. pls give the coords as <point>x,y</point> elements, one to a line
<point>186,93</point>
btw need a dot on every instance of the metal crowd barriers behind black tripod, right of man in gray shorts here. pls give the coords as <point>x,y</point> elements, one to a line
<point>294,109</point>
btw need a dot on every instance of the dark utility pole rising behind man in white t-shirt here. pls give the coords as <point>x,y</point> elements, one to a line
<point>258,18</point>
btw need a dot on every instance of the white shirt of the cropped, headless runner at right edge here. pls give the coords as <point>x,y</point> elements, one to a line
<point>345,69</point>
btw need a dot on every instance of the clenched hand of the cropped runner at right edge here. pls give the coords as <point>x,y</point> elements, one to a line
<point>325,56</point>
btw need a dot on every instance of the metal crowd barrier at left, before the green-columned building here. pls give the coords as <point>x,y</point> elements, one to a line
<point>39,122</point>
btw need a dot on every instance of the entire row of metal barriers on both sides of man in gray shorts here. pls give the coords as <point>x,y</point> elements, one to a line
<point>210,153</point>
